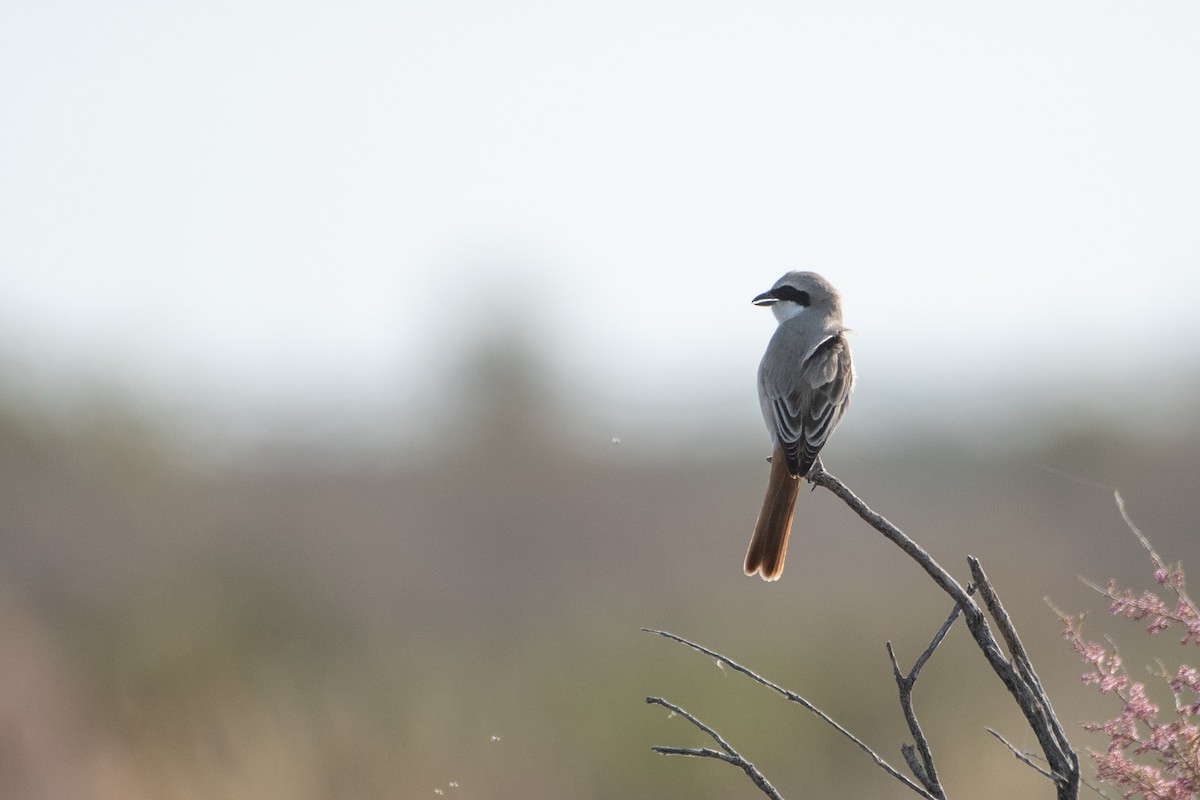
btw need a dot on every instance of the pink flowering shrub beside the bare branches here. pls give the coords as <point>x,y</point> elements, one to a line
<point>1167,750</point>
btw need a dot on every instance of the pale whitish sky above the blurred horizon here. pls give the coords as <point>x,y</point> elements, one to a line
<point>265,206</point>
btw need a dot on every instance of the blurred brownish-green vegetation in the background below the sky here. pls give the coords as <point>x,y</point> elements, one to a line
<point>466,621</point>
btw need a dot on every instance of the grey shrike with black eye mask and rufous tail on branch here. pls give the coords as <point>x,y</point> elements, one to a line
<point>805,383</point>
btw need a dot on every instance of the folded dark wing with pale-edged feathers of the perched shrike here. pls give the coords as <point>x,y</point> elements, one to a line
<point>813,402</point>
